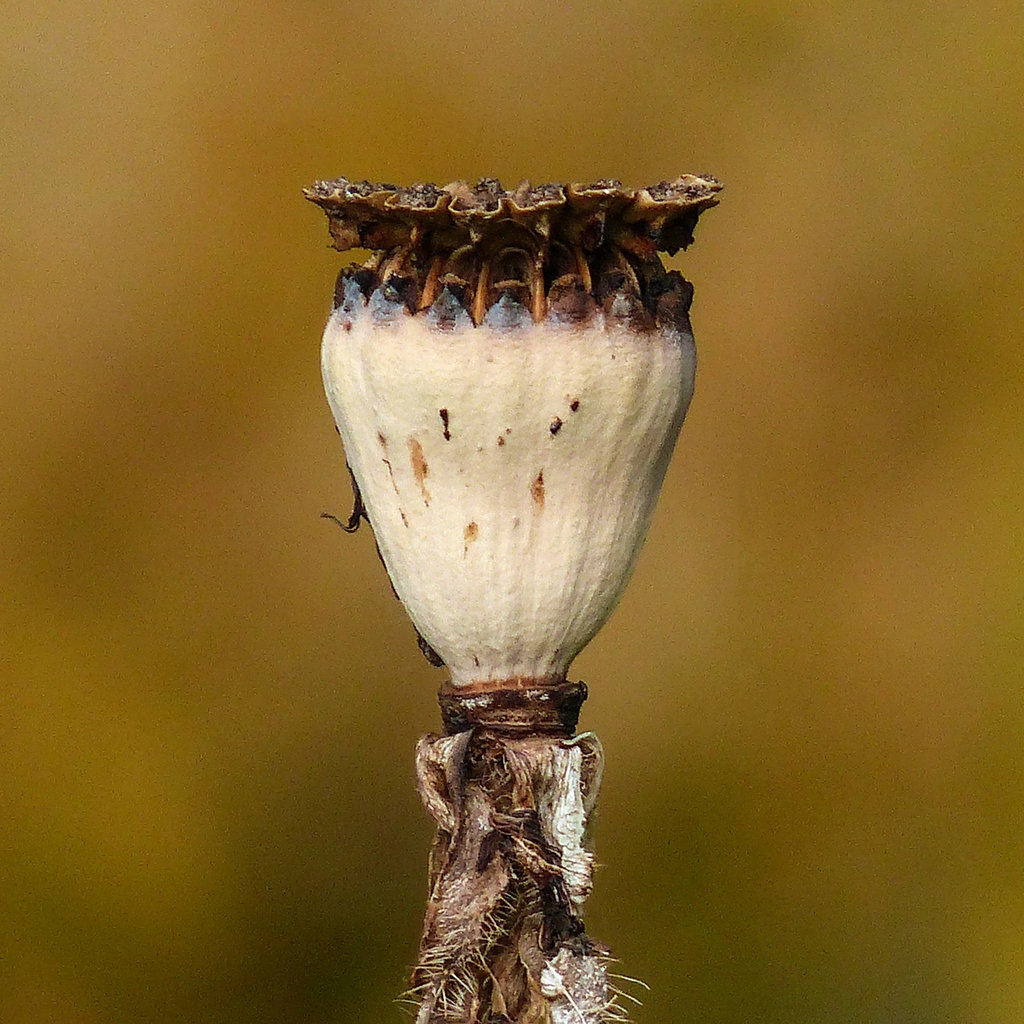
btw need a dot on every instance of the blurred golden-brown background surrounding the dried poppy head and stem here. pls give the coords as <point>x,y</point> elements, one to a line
<point>812,695</point>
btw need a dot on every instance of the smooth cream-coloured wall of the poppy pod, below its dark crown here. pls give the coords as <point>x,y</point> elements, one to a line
<point>509,476</point>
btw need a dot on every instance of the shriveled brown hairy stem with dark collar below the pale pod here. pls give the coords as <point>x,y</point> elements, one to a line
<point>511,790</point>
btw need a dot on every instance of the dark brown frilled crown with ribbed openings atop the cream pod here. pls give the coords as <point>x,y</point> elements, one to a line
<point>562,250</point>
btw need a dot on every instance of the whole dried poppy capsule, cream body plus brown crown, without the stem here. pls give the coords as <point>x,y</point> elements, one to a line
<point>509,373</point>
